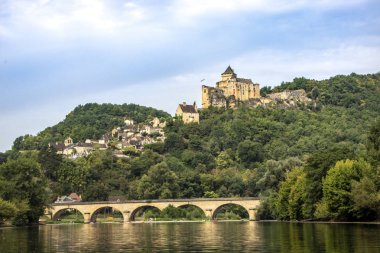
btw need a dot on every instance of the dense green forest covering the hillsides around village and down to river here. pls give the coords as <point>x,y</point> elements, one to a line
<point>319,161</point>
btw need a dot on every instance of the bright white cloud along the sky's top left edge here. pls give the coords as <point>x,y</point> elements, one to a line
<point>67,17</point>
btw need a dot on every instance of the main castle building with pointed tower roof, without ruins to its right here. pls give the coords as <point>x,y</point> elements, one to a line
<point>229,91</point>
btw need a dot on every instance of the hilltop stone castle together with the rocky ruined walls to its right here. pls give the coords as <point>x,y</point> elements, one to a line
<point>232,91</point>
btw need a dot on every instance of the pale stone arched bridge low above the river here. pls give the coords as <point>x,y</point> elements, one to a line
<point>210,206</point>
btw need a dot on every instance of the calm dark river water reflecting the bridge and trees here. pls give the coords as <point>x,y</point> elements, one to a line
<point>193,237</point>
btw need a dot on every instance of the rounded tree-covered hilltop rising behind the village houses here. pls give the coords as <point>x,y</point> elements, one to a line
<point>89,121</point>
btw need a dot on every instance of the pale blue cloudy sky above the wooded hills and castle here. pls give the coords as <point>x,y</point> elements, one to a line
<point>55,55</point>
